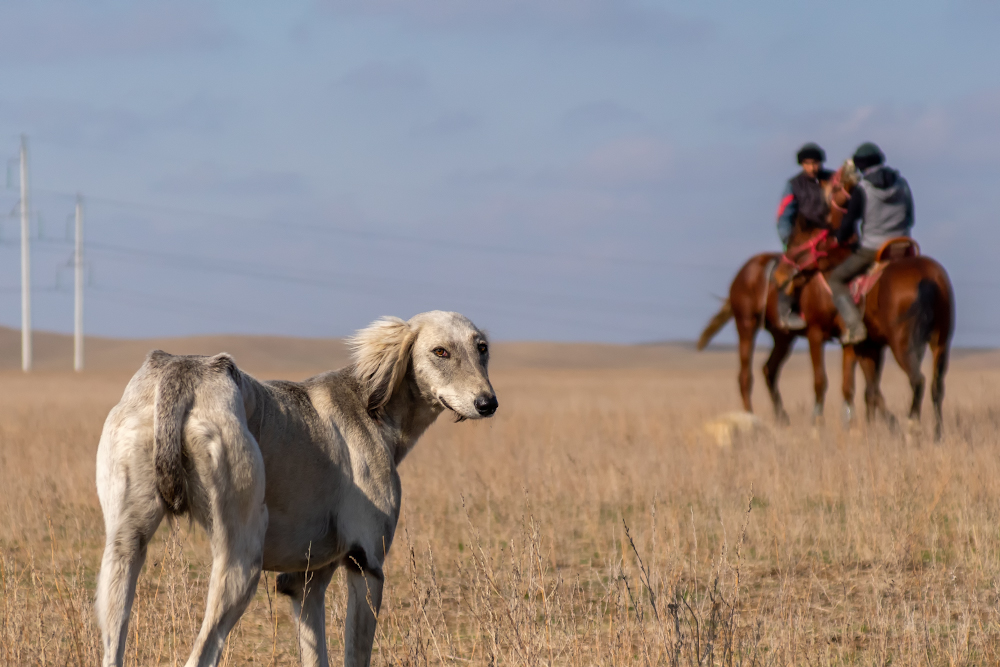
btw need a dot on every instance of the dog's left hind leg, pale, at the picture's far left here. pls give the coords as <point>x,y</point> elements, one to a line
<point>132,511</point>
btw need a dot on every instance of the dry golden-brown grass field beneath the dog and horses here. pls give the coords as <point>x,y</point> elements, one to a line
<point>592,521</point>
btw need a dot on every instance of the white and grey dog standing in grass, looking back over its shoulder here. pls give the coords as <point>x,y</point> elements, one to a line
<point>294,477</point>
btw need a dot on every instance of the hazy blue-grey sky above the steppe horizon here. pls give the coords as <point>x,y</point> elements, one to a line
<point>555,169</point>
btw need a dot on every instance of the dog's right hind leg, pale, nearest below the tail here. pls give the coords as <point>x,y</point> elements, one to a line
<point>236,519</point>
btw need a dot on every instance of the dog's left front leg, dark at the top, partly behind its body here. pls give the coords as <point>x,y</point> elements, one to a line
<point>308,593</point>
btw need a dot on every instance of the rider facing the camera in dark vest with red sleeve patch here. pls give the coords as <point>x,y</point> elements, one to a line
<point>803,195</point>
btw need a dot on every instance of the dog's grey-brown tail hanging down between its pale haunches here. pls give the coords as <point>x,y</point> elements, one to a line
<point>171,404</point>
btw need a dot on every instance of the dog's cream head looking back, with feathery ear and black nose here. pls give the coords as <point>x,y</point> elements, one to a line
<point>444,354</point>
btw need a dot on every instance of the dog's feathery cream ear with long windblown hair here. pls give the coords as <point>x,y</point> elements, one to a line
<point>381,356</point>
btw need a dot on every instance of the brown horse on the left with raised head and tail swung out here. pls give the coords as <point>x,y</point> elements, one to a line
<point>753,298</point>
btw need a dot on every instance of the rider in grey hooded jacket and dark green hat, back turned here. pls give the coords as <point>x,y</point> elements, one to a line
<point>884,205</point>
